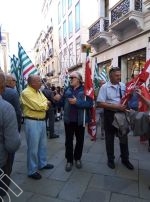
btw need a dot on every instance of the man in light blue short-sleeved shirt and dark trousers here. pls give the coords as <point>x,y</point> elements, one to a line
<point>109,98</point>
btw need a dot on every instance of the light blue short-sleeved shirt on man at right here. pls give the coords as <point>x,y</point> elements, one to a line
<point>110,93</point>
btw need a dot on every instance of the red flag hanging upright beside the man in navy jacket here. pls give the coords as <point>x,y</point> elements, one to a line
<point>89,91</point>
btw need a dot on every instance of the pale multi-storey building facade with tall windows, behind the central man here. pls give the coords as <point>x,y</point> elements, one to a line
<point>66,24</point>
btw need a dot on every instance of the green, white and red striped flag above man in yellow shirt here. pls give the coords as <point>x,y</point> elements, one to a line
<point>26,64</point>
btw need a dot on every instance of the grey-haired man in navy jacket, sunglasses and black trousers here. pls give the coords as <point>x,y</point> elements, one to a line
<point>75,105</point>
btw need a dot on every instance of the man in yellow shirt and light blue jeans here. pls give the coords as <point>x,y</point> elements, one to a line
<point>34,105</point>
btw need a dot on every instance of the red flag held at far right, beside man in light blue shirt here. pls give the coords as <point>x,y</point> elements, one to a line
<point>136,82</point>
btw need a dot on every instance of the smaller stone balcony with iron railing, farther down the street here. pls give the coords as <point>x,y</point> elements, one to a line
<point>98,33</point>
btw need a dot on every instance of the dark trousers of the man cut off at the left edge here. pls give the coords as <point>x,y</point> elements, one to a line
<point>4,179</point>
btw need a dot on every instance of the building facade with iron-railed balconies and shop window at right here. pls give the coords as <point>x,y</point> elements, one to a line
<point>121,35</point>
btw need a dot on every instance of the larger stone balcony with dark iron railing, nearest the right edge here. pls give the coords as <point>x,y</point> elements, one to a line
<point>126,16</point>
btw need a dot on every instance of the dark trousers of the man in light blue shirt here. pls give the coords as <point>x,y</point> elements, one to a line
<point>110,132</point>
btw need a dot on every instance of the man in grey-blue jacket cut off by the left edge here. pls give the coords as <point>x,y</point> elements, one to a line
<point>9,137</point>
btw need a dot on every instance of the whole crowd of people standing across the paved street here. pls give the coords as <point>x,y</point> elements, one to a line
<point>40,103</point>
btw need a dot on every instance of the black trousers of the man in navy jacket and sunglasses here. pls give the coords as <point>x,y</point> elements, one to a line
<point>71,153</point>
